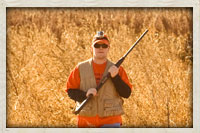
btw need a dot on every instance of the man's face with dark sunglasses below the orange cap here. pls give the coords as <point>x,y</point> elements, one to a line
<point>101,50</point>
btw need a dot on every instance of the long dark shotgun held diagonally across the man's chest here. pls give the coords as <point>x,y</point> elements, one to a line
<point>104,79</point>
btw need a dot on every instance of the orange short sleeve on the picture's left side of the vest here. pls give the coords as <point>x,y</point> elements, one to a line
<point>73,81</point>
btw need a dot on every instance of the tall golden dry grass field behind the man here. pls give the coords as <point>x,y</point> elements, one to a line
<point>45,44</point>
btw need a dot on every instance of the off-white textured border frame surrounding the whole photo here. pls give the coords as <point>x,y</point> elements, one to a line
<point>103,3</point>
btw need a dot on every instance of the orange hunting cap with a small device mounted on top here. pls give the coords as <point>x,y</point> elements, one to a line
<point>101,38</point>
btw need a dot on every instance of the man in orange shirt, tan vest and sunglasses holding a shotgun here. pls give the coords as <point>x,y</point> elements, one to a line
<point>105,107</point>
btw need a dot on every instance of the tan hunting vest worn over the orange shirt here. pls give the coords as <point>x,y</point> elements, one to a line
<point>108,102</point>
